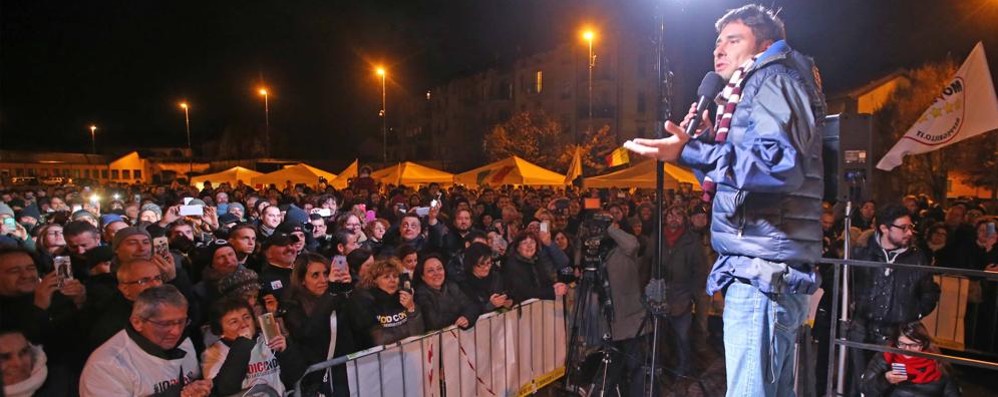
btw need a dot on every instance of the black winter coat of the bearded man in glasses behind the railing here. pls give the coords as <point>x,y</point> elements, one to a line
<point>898,297</point>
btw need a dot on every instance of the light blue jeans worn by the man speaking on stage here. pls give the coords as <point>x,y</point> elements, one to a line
<point>759,335</point>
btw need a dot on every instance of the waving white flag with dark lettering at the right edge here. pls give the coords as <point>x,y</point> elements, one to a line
<point>966,107</point>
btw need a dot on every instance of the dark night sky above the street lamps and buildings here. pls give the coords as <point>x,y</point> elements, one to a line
<point>124,65</point>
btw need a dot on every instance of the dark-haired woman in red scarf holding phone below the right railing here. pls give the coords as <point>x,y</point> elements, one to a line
<point>921,376</point>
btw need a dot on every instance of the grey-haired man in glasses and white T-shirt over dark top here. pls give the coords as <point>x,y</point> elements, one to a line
<point>151,356</point>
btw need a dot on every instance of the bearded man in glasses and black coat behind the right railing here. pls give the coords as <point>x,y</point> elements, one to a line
<point>886,298</point>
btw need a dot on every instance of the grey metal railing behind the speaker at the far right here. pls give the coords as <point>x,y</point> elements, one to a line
<point>837,328</point>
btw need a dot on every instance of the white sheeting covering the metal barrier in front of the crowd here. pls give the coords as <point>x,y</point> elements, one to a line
<point>505,354</point>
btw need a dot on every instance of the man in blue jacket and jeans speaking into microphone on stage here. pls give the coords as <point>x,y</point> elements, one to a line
<point>760,164</point>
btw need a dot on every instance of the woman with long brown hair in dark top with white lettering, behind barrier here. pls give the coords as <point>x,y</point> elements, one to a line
<point>317,319</point>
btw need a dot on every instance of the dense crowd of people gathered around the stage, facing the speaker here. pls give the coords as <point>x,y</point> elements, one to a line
<point>173,290</point>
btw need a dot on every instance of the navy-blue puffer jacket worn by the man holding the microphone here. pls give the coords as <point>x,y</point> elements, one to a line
<point>766,224</point>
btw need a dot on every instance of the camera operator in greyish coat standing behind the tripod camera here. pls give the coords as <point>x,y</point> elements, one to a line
<point>619,254</point>
